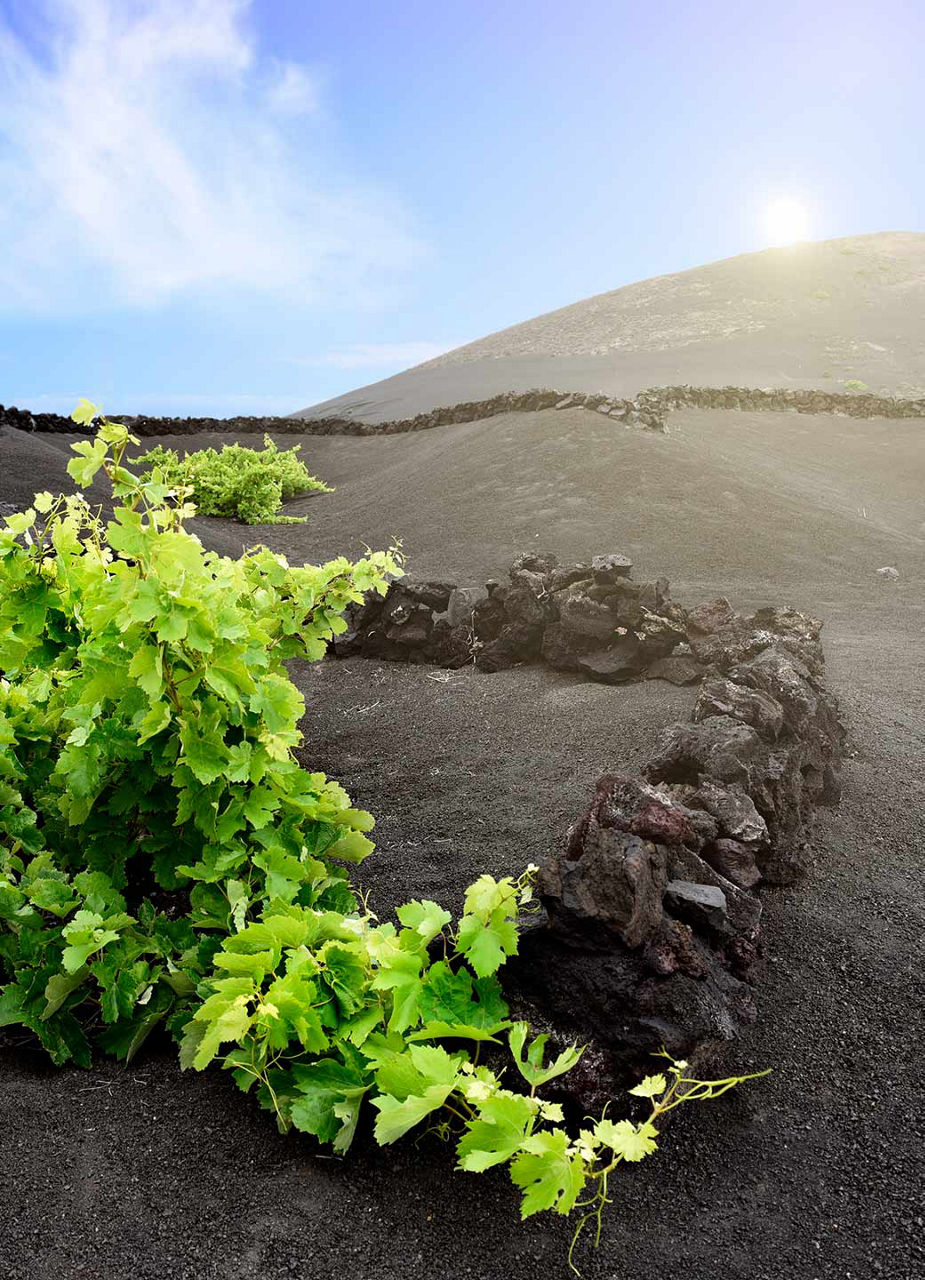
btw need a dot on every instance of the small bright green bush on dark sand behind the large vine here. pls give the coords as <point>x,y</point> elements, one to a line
<point>236,482</point>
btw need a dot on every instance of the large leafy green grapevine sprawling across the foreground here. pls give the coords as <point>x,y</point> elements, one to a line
<point>166,861</point>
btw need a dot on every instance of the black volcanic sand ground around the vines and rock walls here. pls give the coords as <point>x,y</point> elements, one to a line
<point>810,1174</point>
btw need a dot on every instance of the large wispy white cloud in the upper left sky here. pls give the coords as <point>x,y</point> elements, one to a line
<point>143,156</point>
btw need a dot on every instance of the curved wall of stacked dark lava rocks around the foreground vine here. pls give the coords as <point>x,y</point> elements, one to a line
<point>652,931</point>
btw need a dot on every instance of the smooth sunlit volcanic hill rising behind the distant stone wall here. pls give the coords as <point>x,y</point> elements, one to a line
<point>814,316</point>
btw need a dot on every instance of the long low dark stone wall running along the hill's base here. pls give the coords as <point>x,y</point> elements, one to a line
<point>647,412</point>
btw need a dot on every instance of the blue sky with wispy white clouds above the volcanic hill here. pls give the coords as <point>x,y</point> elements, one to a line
<point>221,207</point>
